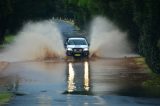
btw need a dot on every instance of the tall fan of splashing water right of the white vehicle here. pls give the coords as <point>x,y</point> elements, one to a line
<point>106,40</point>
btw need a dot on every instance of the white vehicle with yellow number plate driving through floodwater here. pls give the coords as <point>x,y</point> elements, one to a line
<point>77,47</point>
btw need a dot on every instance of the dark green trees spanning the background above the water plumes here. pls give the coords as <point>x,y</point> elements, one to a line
<point>140,18</point>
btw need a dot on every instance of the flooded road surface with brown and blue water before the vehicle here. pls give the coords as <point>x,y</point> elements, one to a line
<point>95,82</point>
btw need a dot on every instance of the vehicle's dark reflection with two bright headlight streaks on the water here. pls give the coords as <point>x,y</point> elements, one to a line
<point>78,78</point>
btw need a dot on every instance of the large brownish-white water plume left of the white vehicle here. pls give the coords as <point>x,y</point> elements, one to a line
<point>37,40</point>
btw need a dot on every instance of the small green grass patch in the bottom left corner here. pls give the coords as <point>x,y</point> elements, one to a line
<point>5,97</point>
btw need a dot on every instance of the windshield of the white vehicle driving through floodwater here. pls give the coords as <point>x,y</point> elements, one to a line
<point>77,42</point>
